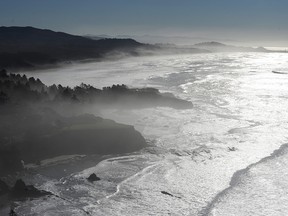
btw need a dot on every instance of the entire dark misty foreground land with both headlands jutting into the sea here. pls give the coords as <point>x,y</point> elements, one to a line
<point>40,121</point>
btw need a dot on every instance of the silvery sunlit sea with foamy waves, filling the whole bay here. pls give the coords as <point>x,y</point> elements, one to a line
<point>210,158</point>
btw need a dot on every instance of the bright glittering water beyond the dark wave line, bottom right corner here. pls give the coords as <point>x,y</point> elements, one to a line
<point>260,189</point>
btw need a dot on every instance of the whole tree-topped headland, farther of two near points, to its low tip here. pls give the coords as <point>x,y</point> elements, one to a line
<point>16,88</point>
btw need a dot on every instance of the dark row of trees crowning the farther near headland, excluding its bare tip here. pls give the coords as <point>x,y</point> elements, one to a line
<point>20,88</point>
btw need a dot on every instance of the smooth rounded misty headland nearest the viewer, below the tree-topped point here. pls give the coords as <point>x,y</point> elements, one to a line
<point>31,135</point>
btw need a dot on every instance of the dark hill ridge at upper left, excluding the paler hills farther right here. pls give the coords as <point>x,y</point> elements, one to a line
<point>27,47</point>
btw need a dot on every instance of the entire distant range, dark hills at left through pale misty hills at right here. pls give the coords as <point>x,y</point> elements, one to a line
<point>29,47</point>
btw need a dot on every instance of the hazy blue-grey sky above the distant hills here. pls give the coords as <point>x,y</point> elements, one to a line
<point>243,20</point>
